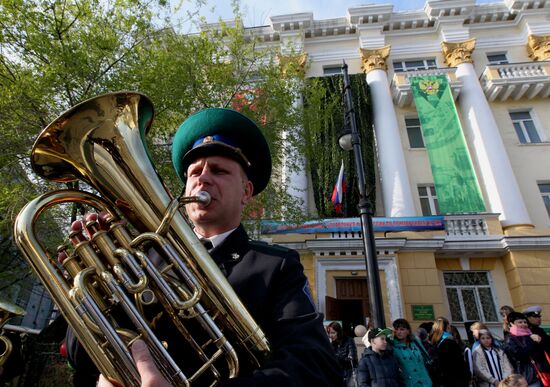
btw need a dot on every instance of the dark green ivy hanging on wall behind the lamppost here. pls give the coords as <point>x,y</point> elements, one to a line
<point>323,123</point>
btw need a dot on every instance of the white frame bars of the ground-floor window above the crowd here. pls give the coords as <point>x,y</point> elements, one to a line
<point>478,303</point>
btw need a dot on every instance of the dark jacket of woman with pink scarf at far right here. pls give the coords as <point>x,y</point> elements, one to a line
<point>520,351</point>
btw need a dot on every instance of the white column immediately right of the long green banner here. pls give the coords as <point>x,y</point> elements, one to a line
<point>496,171</point>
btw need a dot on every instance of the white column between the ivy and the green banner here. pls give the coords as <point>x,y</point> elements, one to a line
<point>396,188</point>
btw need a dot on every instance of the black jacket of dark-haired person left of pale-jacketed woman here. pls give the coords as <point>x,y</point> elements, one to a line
<point>452,370</point>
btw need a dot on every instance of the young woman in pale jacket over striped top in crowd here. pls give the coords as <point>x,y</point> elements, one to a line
<point>491,365</point>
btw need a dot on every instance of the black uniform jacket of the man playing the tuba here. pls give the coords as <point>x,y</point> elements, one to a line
<point>271,283</point>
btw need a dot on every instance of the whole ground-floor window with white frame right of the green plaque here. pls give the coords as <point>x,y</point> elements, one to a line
<point>470,296</point>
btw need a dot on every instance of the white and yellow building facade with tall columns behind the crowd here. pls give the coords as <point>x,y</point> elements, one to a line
<point>496,58</point>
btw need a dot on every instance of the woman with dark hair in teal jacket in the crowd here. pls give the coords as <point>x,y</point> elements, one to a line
<point>410,354</point>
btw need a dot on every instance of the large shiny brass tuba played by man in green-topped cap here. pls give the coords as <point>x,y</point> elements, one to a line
<point>101,142</point>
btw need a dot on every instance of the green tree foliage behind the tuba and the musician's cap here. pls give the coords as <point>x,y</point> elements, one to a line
<point>57,53</point>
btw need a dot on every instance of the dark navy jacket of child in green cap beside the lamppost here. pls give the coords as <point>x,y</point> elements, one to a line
<point>378,369</point>
